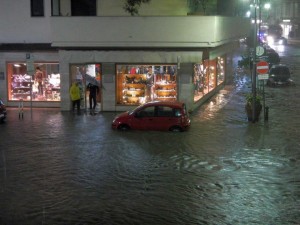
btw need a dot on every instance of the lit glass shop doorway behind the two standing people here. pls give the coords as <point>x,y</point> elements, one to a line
<point>85,74</point>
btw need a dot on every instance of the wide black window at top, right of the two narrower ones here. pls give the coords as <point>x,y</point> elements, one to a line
<point>83,7</point>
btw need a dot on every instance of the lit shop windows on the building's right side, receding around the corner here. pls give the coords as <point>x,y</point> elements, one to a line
<point>207,76</point>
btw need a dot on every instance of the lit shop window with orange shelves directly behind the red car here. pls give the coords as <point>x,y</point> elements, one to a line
<point>137,84</point>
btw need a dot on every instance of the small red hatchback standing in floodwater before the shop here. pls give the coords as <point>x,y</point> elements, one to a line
<point>156,115</point>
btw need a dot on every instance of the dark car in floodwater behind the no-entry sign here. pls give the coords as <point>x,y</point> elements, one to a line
<point>279,75</point>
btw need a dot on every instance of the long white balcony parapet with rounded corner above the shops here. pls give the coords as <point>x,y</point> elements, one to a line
<point>147,32</point>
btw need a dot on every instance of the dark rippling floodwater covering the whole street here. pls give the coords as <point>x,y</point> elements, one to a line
<point>58,168</point>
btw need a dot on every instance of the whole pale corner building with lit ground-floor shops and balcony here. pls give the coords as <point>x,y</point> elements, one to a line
<point>162,54</point>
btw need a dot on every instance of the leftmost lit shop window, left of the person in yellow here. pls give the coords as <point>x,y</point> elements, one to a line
<point>44,85</point>
